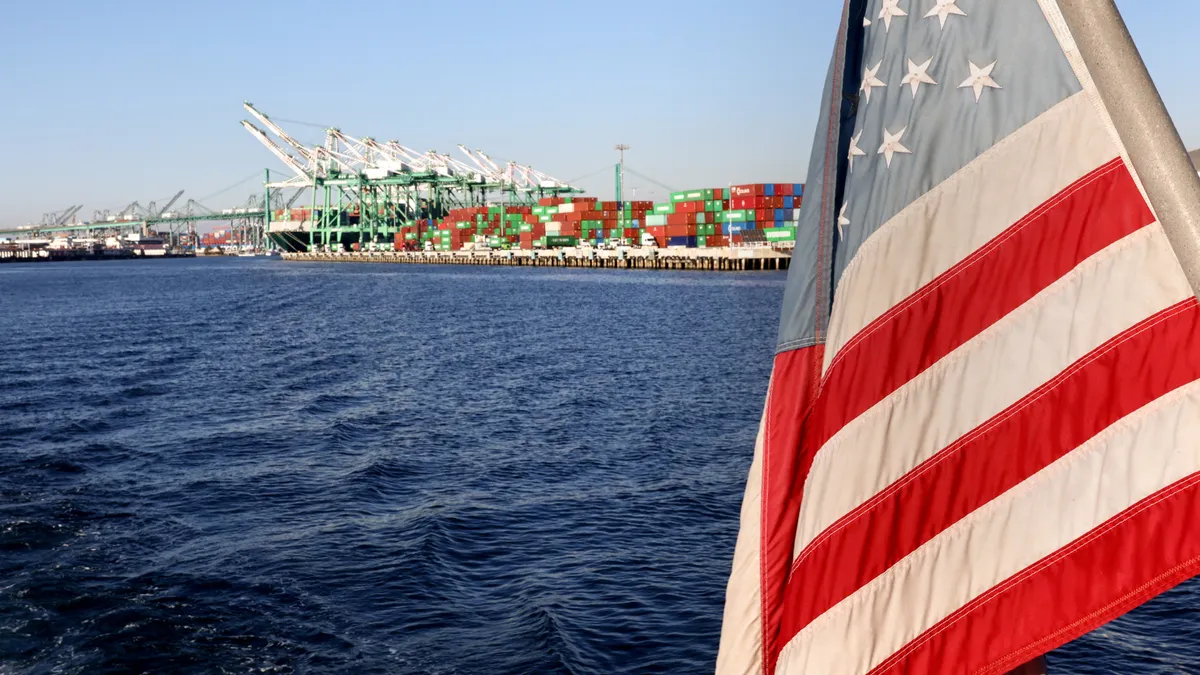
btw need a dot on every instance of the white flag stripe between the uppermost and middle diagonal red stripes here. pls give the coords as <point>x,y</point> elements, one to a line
<point>1111,292</point>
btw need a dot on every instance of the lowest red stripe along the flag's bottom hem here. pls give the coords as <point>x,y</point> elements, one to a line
<point>1135,557</point>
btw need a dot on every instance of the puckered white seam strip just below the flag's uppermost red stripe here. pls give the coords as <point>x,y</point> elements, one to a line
<point>964,351</point>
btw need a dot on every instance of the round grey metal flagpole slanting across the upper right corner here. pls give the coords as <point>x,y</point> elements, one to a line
<point>1143,123</point>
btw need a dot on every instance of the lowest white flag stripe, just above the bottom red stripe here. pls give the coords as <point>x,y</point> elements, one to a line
<point>1149,451</point>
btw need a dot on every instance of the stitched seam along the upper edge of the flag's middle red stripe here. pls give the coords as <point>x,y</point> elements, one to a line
<point>1015,410</point>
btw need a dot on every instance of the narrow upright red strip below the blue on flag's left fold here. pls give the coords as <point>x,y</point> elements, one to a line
<point>794,387</point>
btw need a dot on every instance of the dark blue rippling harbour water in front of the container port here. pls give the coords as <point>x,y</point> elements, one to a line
<point>248,465</point>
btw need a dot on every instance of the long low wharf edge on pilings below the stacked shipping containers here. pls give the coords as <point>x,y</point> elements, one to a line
<point>694,260</point>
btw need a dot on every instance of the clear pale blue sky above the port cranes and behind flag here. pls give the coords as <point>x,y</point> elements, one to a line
<point>110,103</point>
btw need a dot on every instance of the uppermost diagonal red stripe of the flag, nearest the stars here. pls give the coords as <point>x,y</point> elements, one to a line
<point>1081,222</point>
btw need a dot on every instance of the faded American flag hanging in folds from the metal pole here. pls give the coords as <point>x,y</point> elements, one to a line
<point>982,435</point>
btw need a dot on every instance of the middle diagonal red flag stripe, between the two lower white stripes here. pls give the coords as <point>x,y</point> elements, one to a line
<point>1130,372</point>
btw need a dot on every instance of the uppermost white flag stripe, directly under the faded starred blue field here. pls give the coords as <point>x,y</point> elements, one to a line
<point>968,211</point>
